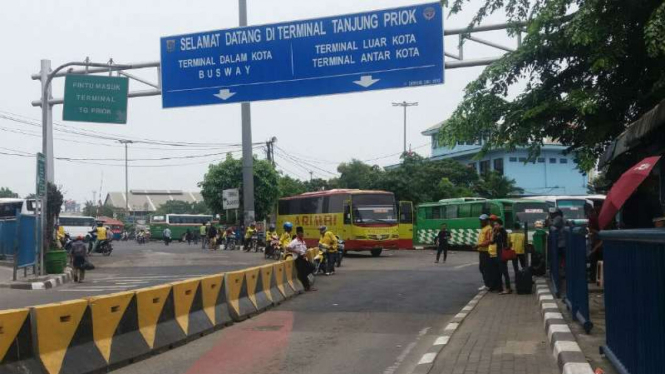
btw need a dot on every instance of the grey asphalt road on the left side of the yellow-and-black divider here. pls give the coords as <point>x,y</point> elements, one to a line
<point>132,266</point>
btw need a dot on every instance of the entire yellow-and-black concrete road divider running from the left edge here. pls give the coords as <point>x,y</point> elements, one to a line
<point>102,333</point>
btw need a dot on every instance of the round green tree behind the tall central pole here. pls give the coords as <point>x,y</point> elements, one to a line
<point>228,174</point>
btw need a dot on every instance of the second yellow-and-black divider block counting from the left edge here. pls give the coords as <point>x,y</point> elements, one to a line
<point>65,342</point>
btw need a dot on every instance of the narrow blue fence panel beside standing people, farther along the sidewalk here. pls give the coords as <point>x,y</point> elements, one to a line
<point>577,287</point>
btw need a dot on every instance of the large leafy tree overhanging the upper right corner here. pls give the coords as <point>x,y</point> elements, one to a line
<point>589,67</point>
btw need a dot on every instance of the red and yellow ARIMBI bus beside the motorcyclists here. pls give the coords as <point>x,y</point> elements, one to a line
<point>366,220</point>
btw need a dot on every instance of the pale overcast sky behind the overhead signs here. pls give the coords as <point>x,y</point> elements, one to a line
<point>324,130</point>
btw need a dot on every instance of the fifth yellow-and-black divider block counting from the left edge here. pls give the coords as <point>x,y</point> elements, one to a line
<point>188,302</point>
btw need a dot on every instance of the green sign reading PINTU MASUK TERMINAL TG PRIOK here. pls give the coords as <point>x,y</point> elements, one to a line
<point>92,98</point>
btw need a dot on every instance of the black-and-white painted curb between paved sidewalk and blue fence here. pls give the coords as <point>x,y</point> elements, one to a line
<point>565,349</point>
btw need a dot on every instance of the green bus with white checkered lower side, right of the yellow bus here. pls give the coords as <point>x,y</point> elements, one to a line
<point>461,216</point>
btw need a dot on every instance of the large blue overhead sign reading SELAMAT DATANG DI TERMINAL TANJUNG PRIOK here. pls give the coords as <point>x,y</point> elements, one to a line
<point>394,48</point>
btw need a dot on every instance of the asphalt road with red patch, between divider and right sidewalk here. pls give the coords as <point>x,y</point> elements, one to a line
<point>376,315</point>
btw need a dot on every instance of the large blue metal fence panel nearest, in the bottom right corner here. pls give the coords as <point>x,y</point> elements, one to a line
<point>634,271</point>
